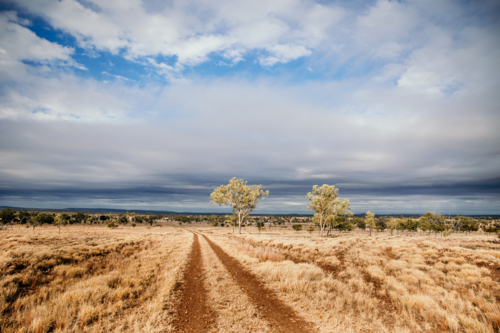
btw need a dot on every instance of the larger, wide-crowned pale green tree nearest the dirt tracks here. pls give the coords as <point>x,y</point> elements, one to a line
<point>241,197</point>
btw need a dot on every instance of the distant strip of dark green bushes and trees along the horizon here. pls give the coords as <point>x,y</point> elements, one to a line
<point>428,222</point>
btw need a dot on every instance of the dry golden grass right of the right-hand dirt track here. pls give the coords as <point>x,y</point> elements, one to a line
<point>383,283</point>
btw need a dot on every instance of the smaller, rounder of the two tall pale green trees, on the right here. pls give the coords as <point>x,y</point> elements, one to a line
<point>325,203</point>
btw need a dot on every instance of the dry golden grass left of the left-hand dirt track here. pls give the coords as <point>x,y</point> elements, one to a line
<point>89,279</point>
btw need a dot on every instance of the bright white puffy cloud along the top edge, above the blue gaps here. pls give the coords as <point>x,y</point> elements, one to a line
<point>193,30</point>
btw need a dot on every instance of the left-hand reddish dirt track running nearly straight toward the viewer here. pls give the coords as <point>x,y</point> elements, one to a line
<point>194,314</point>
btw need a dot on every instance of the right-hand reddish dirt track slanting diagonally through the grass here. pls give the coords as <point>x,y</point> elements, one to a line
<point>281,317</point>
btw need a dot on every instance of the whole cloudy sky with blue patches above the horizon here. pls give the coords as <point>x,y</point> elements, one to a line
<point>153,104</point>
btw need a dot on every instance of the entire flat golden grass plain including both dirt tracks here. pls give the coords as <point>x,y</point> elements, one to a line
<point>207,279</point>
